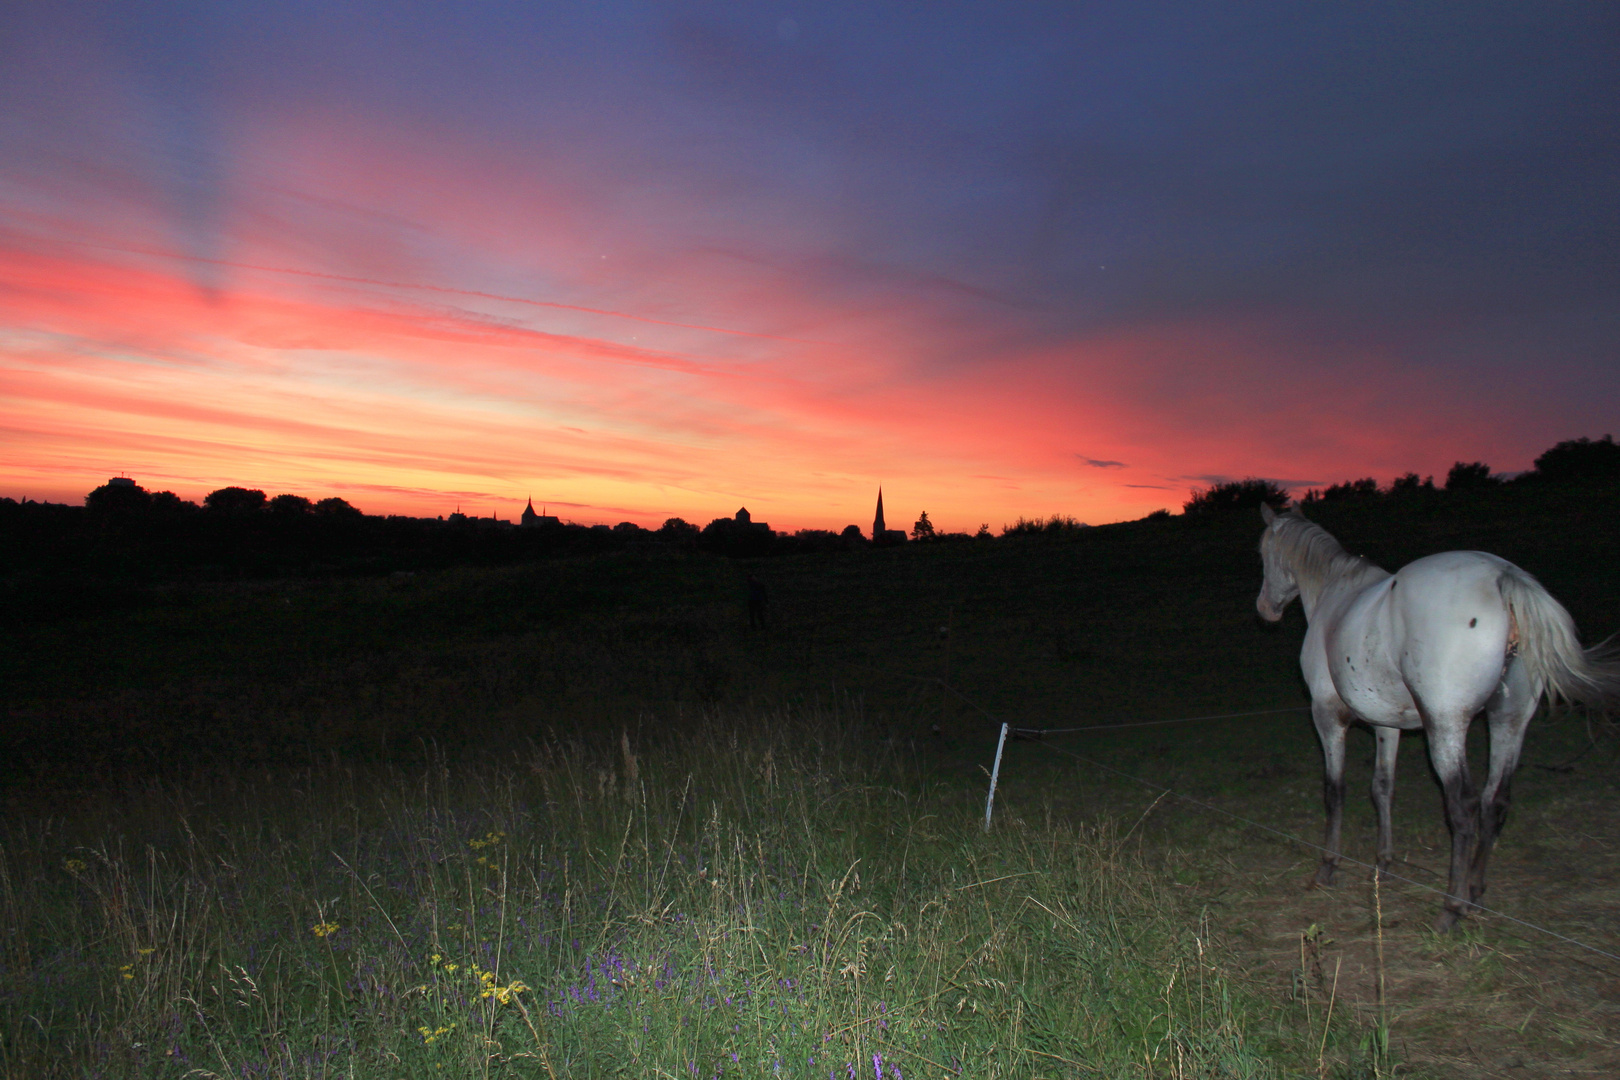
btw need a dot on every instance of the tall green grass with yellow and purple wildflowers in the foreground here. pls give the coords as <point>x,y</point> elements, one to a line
<point>777,895</point>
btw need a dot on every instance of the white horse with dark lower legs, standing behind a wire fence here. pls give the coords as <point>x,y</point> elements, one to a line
<point>1428,648</point>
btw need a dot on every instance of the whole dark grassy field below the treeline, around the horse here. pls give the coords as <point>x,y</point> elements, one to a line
<point>576,819</point>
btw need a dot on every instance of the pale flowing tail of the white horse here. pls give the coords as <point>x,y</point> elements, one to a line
<point>1550,647</point>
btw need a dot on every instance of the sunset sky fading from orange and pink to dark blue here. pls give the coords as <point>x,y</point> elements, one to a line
<point>654,260</point>
